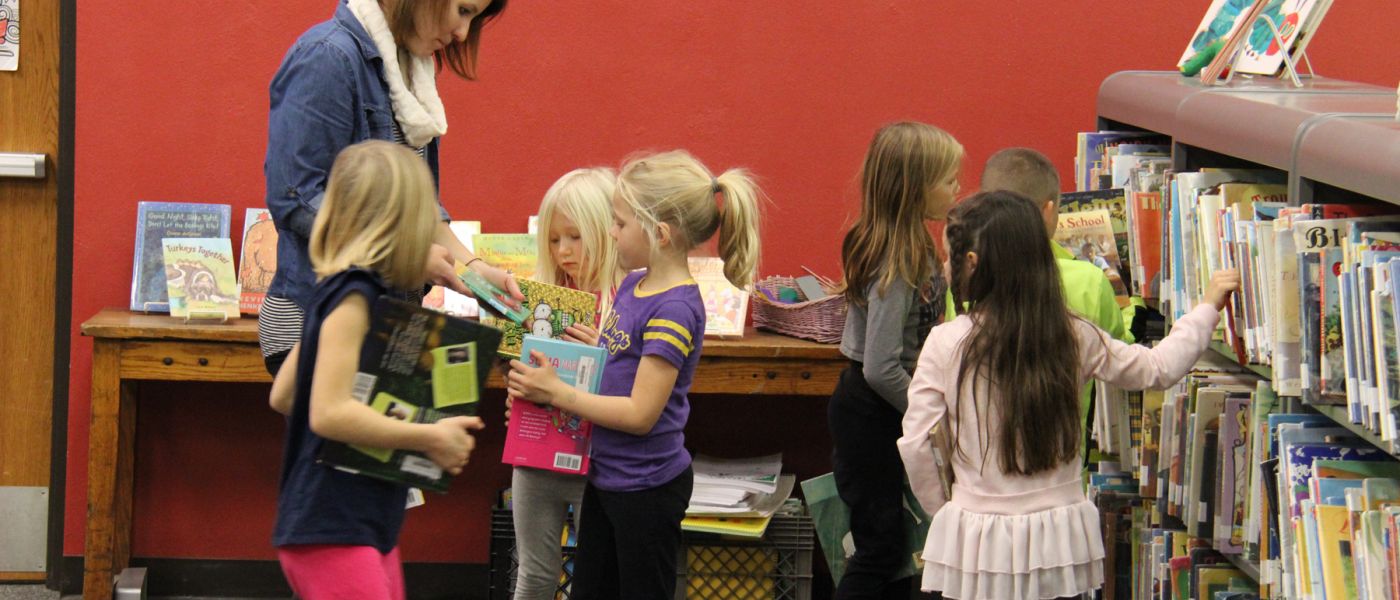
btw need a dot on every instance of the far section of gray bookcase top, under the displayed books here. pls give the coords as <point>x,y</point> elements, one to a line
<point>1263,127</point>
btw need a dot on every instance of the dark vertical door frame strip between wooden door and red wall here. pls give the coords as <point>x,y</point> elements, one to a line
<point>62,292</point>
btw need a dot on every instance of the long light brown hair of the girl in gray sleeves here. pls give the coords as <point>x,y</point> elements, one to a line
<point>890,241</point>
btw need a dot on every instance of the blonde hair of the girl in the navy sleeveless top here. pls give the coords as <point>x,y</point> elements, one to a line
<point>380,213</point>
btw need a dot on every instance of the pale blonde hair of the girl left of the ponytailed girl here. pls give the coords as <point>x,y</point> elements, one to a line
<point>584,197</point>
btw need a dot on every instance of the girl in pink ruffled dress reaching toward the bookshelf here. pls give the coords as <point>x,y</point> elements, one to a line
<point>1003,378</point>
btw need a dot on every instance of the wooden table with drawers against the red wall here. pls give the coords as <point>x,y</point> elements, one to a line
<point>131,348</point>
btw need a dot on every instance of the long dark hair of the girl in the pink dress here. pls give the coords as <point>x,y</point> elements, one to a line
<point>1024,342</point>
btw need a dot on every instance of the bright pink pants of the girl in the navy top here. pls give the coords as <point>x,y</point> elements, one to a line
<point>335,573</point>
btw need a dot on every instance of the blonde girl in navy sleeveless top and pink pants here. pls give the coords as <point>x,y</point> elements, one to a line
<point>337,534</point>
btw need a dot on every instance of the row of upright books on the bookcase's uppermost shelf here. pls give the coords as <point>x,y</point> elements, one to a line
<point>1318,303</point>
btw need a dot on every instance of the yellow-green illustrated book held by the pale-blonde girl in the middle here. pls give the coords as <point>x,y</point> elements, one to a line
<point>549,311</point>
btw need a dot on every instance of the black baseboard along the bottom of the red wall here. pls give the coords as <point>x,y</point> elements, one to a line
<point>223,578</point>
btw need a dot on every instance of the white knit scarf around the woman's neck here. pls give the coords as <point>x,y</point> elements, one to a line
<point>419,113</point>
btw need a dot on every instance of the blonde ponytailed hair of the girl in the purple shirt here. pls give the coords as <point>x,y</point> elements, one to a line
<point>677,190</point>
